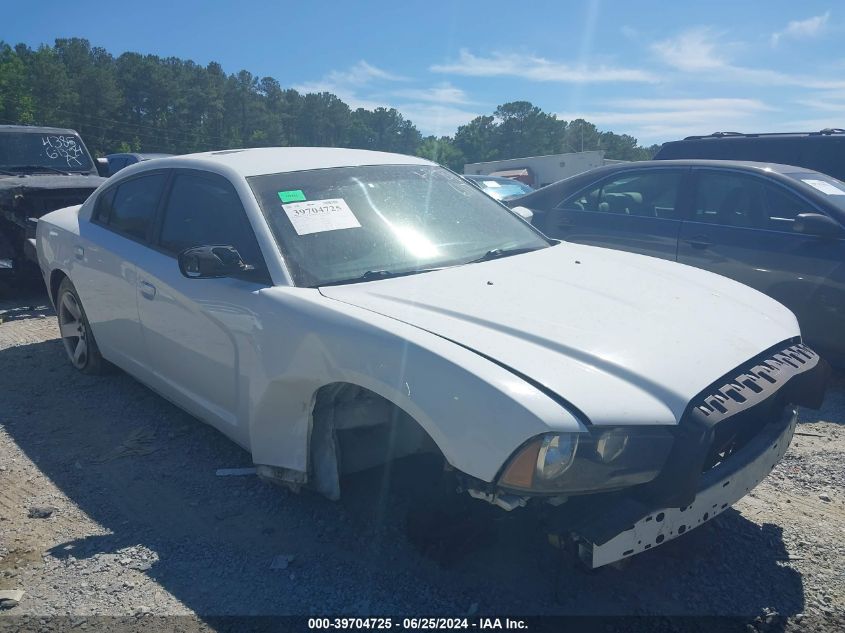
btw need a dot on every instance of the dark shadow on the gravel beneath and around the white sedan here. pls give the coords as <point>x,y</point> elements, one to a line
<point>145,472</point>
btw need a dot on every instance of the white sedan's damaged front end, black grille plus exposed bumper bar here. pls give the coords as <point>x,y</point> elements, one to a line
<point>728,441</point>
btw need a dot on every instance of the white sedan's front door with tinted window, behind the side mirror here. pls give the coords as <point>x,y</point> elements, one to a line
<point>199,332</point>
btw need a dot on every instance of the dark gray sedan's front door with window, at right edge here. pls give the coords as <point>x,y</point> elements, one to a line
<point>741,226</point>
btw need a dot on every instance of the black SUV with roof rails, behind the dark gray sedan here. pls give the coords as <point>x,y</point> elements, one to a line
<point>822,151</point>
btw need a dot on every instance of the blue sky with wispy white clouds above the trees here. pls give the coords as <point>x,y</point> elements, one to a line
<point>656,70</point>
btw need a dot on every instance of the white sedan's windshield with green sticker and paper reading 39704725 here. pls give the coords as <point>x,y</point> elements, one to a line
<point>351,224</point>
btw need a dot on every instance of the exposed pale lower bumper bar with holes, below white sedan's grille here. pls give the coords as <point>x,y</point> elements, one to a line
<point>721,487</point>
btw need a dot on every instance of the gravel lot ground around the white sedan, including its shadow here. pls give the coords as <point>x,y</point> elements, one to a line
<point>142,525</point>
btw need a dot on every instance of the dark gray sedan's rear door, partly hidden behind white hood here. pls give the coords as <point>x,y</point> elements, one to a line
<point>637,211</point>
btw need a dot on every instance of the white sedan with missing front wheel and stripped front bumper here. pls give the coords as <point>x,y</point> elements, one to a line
<point>330,310</point>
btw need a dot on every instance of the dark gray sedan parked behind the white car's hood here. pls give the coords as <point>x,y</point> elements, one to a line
<point>776,228</point>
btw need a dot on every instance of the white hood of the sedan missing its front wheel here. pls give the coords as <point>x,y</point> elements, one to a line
<point>627,339</point>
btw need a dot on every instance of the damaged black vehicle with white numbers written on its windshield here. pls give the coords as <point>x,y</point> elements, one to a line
<point>41,169</point>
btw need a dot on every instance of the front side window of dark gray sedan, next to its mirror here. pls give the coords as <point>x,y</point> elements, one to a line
<point>745,201</point>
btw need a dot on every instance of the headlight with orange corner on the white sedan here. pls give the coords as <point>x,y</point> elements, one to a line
<point>600,459</point>
